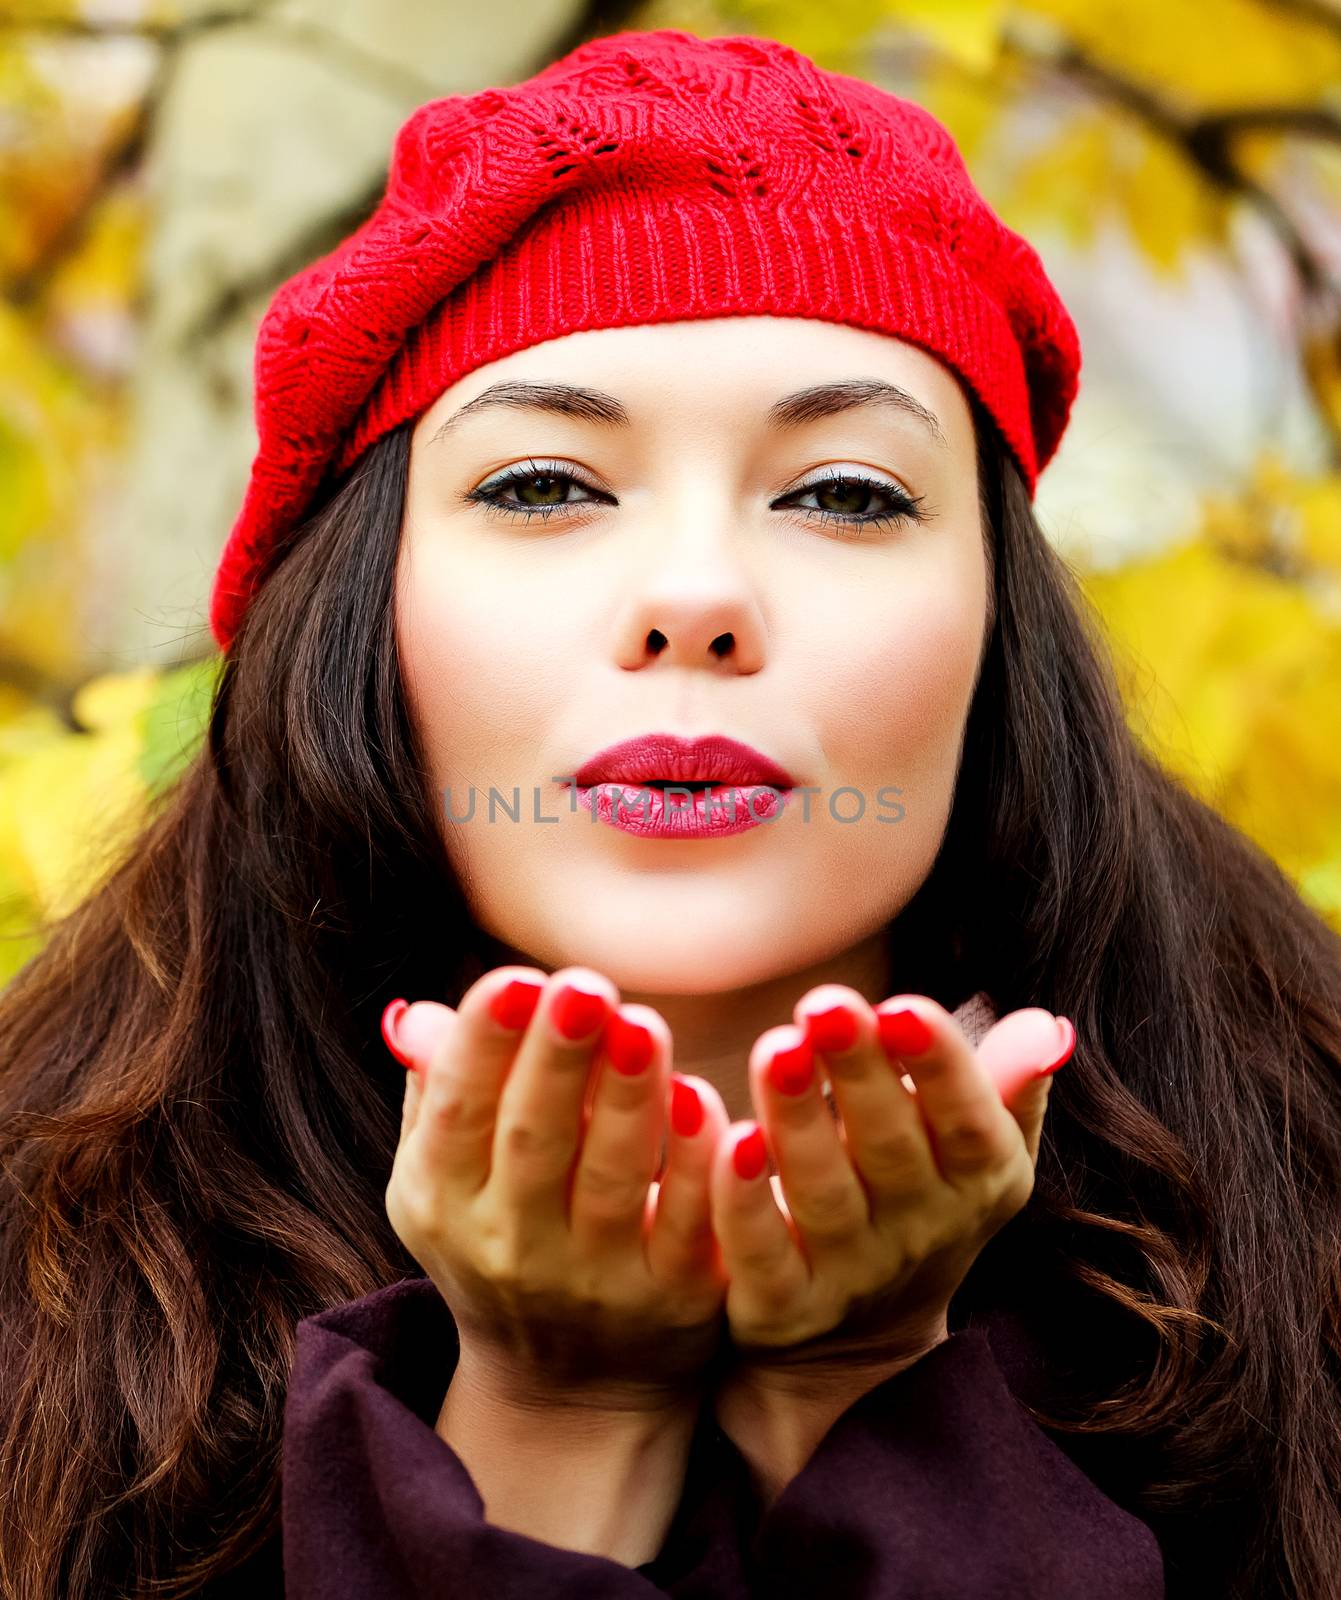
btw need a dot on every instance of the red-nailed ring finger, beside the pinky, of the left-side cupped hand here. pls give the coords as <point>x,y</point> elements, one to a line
<point>622,1146</point>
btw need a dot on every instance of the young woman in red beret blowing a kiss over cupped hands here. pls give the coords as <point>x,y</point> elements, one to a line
<point>675,422</point>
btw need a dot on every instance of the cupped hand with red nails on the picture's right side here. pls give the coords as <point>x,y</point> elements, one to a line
<point>852,1255</point>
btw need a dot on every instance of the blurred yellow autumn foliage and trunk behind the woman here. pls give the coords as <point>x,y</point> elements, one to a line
<point>162,169</point>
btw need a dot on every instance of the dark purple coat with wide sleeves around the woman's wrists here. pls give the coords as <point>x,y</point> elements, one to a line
<point>935,1486</point>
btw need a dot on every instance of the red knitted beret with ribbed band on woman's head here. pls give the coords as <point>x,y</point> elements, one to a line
<point>646,177</point>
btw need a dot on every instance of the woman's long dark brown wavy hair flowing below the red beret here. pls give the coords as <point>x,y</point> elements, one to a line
<point>198,1114</point>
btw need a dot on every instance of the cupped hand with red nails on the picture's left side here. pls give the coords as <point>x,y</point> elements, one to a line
<point>526,1186</point>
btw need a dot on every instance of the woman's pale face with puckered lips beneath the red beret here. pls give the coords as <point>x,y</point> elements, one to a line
<point>663,564</point>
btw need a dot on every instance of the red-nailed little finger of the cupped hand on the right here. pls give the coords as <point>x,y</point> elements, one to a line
<point>761,1255</point>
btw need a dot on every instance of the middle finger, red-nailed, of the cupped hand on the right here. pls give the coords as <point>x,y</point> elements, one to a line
<point>884,1130</point>
